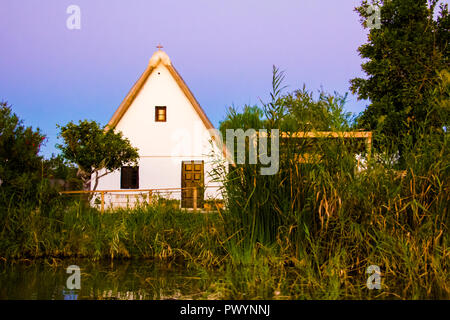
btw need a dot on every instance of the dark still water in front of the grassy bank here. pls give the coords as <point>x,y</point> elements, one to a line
<point>134,279</point>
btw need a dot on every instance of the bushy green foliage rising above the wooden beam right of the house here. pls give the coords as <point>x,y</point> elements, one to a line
<point>291,112</point>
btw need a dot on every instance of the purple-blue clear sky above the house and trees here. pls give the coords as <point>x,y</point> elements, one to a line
<point>224,50</point>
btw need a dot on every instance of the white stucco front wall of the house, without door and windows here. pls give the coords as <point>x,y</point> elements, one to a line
<point>162,146</point>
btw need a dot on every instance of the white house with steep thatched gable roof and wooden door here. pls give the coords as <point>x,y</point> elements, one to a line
<point>161,117</point>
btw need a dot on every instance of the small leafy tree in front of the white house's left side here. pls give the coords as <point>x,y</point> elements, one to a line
<point>94,149</point>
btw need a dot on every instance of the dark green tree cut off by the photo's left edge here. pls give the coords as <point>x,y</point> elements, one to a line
<point>20,162</point>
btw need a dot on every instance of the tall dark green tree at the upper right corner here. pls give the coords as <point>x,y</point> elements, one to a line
<point>404,59</point>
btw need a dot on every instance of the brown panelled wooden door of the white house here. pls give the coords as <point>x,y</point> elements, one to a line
<point>192,175</point>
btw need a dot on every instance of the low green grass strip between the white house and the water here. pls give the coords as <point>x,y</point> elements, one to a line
<point>76,230</point>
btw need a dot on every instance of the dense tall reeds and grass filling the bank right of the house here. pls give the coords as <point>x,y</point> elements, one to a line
<point>329,219</point>
